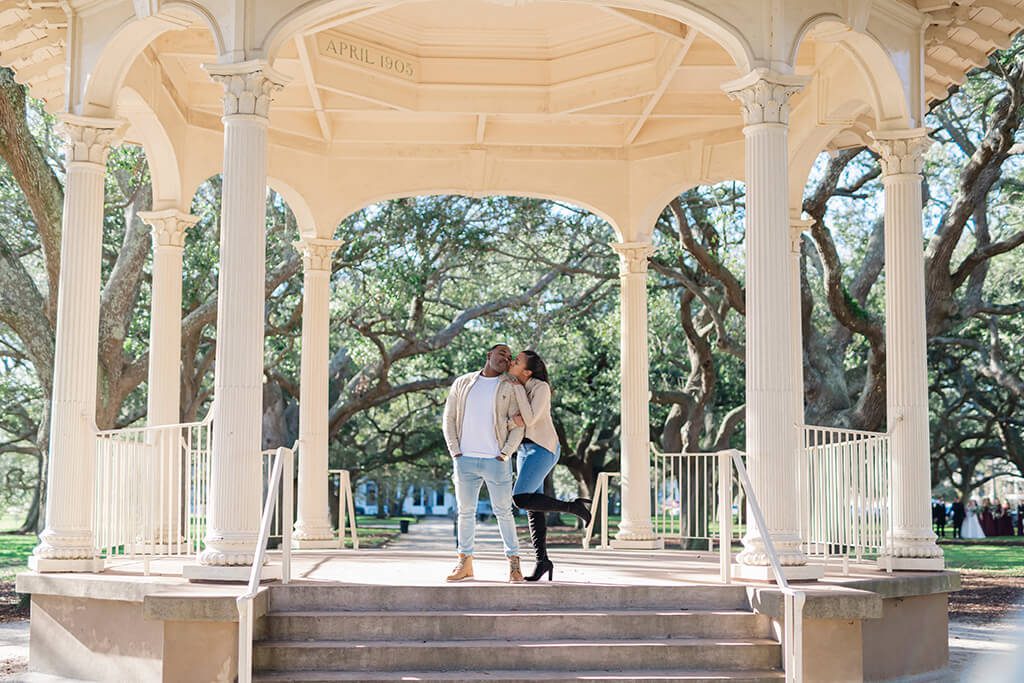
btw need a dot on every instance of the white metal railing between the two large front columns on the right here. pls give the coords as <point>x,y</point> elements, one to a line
<point>845,494</point>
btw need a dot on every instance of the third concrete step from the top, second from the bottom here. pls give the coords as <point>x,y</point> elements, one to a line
<point>682,654</point>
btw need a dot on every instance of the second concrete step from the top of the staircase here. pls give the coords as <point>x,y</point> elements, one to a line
<point>521,625</point>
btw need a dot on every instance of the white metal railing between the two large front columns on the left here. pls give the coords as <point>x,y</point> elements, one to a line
<point>152,490</point>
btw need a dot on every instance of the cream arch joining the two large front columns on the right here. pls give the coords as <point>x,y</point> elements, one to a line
<point>875,64</point>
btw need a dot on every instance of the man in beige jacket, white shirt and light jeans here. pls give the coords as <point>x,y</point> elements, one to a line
<point>482,440</point>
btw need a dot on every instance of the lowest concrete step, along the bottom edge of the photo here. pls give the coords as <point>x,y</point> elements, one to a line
<point>764,676</point>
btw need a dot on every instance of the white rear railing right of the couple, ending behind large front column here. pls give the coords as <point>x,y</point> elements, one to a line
<point>688,490</point>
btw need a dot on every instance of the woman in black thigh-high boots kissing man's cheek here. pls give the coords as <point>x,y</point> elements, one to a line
<point>538,456</point>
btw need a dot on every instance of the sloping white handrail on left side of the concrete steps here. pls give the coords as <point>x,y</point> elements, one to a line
<point>281,486</point>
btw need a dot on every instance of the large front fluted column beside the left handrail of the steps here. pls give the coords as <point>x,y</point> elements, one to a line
<point>234,510</point>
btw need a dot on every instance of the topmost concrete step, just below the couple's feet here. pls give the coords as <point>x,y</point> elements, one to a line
<point>472,595</point>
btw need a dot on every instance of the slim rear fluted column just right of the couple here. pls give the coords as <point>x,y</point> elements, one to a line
<point>635,531</point>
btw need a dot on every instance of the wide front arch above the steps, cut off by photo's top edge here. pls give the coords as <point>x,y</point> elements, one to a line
<point>716,27</point>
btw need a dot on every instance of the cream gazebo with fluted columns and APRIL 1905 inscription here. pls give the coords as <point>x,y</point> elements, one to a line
<point>614,106</point>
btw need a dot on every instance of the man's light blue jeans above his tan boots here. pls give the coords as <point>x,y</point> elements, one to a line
<point>468,476</point>
